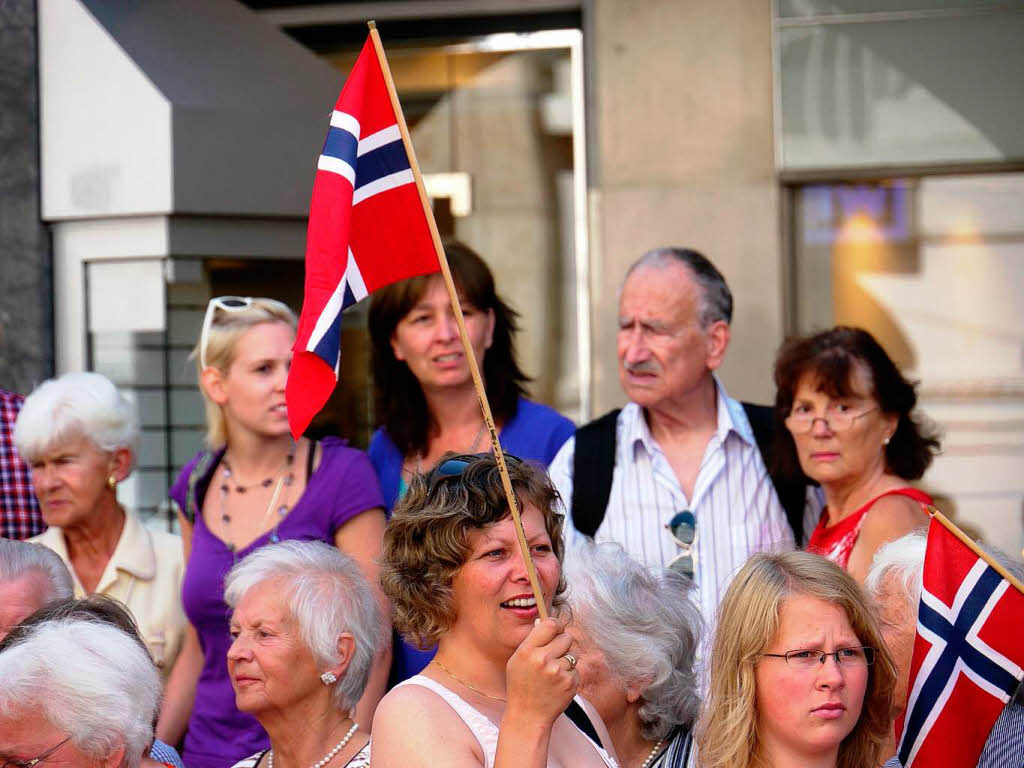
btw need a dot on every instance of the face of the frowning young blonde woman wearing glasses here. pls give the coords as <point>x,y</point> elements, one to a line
<point>809,711</point>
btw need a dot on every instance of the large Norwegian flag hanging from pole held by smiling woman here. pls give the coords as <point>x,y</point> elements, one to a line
<point>368,229</point>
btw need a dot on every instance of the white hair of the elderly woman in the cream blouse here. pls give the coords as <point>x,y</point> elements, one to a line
<point>75,405</point>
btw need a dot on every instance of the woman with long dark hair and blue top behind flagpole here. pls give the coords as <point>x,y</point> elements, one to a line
<point>426,404</point>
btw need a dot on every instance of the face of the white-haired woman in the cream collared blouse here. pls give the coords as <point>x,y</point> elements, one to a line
<point>70,481</point>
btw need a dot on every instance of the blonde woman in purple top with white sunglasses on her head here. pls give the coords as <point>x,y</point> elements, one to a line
<point>254,486</point>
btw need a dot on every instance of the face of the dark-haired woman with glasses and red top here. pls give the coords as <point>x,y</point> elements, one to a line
<point>847,436</point>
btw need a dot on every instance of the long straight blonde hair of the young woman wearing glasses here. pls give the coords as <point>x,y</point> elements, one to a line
<point>748,623</point>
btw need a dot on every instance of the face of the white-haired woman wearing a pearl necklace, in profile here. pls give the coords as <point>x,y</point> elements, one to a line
<point>270,665</point>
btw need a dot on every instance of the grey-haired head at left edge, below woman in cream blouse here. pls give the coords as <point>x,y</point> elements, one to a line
<point>31,577</point>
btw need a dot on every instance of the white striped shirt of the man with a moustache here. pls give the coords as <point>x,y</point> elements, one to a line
<point>737,509</point>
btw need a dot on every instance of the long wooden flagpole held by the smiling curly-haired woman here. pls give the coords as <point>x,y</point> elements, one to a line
<point>475,370</point>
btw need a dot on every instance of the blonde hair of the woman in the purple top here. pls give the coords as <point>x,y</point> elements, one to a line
<point>226,330</point>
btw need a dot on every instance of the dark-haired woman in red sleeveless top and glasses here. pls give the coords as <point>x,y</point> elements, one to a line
<point>848,414</point>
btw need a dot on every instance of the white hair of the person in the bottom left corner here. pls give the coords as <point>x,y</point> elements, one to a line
<point>90,680</point>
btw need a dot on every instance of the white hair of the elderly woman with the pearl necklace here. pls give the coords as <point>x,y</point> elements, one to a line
<point>328,595</point>
